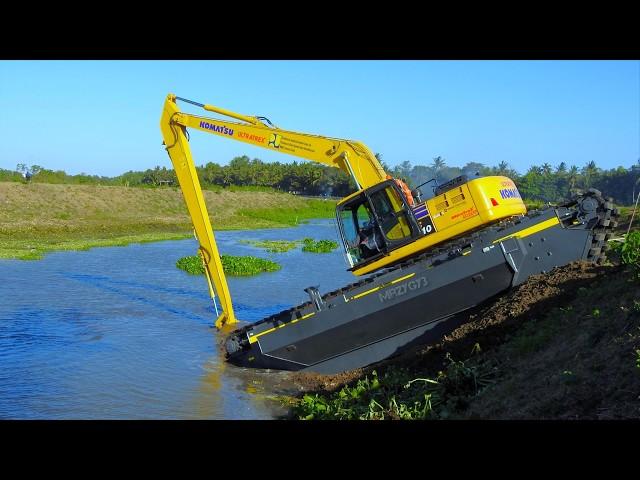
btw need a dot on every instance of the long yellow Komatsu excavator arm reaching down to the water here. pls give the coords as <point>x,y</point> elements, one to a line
<point>352,157</point>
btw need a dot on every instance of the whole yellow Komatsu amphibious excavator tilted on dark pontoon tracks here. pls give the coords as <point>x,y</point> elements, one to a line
<point>422,262</point>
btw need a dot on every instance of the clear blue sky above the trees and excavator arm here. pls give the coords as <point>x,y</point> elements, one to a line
<point>102,117</point>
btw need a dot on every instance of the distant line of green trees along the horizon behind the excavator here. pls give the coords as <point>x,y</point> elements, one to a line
<point>540,182</point>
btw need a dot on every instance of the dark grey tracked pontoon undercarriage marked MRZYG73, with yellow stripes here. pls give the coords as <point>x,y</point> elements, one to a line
<point>420,300</point>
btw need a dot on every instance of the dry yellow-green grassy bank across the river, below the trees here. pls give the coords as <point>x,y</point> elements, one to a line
<point>37,218</point>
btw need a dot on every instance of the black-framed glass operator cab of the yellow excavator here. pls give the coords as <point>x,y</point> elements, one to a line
<point>374,221</point>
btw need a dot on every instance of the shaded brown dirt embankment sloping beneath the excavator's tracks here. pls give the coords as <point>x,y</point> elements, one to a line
<point>560,346</point>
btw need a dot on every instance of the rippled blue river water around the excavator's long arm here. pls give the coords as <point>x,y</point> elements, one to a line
<point>121,333</point>
